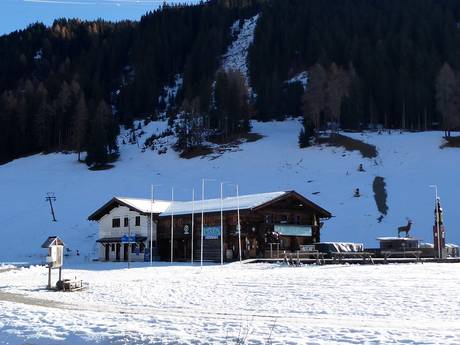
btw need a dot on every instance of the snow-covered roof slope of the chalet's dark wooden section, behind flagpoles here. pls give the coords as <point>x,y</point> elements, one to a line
<point>228,204</point>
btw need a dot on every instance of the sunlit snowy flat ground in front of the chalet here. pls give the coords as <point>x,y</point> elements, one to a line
<point>253,304</point>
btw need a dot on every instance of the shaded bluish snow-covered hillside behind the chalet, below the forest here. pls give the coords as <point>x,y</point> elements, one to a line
<point>409,162</point>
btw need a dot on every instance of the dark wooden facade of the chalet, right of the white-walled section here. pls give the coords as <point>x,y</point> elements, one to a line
<point>258,230</point>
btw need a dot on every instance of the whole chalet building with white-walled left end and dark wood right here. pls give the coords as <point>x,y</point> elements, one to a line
<point>269,222</point>
